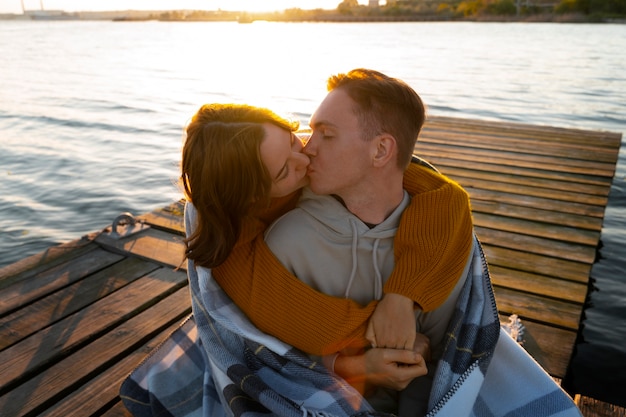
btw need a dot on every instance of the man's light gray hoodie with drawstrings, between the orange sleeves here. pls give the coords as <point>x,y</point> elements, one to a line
<point>332,250</point>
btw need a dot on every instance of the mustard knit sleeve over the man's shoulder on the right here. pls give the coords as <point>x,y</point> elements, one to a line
<point>431,255</point>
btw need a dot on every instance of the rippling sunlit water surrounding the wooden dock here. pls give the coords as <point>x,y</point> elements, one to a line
<point>91,117</point>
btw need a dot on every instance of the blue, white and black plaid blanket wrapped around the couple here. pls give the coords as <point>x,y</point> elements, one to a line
<point>218,364</point>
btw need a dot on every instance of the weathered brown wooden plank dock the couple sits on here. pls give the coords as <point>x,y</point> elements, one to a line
<point>77,318</point>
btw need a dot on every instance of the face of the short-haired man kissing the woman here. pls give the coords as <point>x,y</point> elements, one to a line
<point>340,158</point>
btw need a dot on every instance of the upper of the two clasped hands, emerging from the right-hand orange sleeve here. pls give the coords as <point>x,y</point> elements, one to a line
<point>392,324</point>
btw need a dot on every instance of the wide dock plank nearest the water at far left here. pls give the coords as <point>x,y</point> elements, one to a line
<point>48,280</point>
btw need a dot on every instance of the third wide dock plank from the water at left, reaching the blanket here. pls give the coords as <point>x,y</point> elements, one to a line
<point>36,352</point>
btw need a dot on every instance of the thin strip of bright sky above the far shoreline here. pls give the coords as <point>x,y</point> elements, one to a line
<point>14,6</point>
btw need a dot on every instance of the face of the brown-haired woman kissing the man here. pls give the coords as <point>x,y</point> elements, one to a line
<point>281,152</point>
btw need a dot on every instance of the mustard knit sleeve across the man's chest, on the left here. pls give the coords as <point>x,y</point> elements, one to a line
<point>280,304</point>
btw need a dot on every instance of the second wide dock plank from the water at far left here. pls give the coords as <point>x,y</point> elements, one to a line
<point>68,300</point>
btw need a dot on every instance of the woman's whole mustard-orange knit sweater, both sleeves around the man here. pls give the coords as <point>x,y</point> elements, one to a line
<point>430,249</point>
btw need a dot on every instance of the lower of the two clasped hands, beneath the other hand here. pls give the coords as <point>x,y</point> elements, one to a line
<point>390,368</point>
